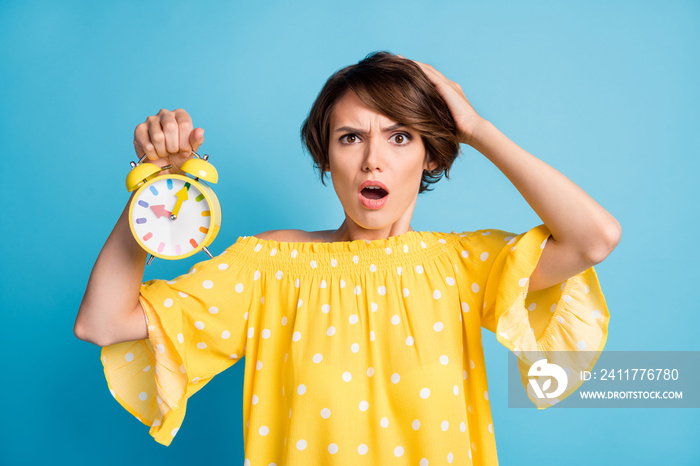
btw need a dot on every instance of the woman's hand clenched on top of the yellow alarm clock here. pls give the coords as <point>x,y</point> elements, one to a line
<point>168,138</point>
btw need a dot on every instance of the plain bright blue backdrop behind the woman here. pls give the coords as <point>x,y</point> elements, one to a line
<point>606,92</point>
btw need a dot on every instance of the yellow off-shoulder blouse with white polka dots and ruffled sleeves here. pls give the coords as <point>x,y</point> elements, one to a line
<point>356,353</point>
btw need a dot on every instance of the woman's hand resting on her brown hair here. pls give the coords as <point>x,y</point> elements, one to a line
<point>462,111</point>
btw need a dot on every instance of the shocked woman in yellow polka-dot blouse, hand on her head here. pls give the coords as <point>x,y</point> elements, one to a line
<point>362,343</point>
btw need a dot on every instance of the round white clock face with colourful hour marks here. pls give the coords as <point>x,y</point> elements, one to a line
<point>171,217</point>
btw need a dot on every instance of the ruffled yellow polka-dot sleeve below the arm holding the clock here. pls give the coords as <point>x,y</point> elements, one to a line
<point>197,327</point>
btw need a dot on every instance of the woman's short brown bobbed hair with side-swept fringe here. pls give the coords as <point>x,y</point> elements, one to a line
<point>397,88</point>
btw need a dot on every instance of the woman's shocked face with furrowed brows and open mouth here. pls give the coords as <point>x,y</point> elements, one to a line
<point>368,146</point>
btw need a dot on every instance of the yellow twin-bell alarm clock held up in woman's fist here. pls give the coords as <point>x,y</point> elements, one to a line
<point>174,216</point>
